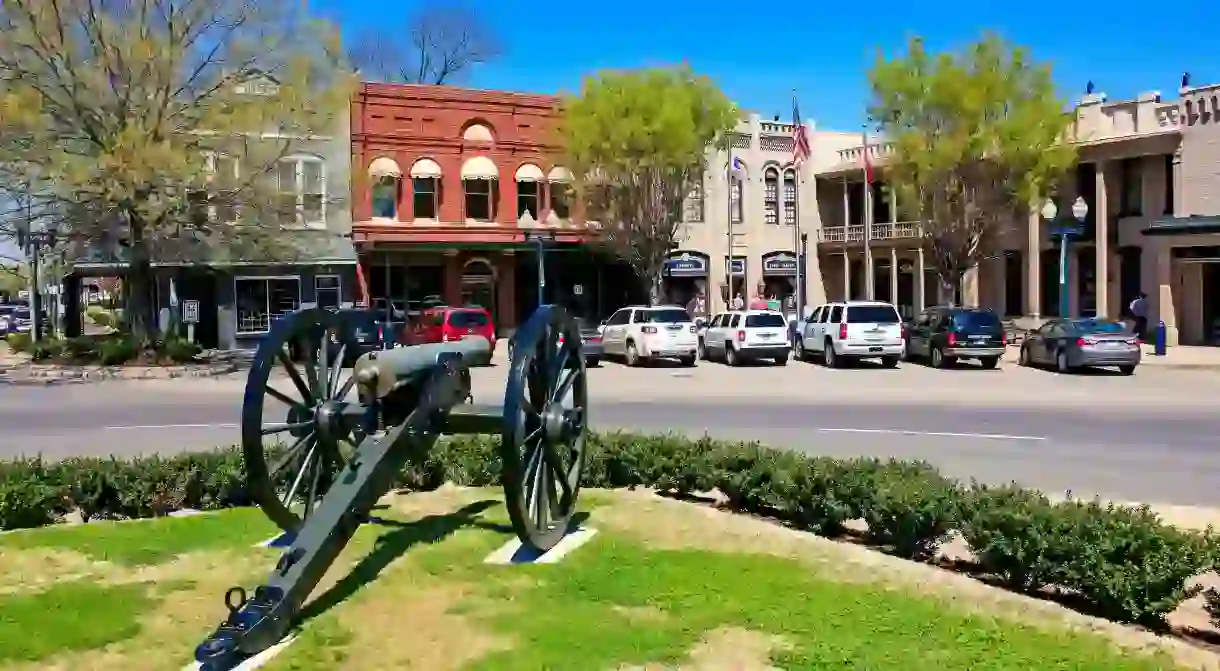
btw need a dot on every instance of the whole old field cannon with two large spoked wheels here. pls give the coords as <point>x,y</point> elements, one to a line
<point>345,453</point>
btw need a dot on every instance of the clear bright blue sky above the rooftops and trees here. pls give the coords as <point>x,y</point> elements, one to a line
<point>759,52</point>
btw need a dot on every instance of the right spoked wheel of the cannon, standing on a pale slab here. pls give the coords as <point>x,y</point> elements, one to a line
<point>546,414</point>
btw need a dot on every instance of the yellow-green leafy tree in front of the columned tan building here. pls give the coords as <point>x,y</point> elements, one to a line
<point>979,137</point>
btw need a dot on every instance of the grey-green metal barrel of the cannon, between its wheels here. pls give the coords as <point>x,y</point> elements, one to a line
<point>381,373</point>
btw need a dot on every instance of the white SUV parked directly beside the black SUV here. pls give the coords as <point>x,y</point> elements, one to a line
<point>841,332</point>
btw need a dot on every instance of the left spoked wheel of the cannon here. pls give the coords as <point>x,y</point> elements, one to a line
<point>293,461</point>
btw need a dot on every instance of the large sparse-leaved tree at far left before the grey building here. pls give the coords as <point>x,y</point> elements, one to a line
<point>157,126</point>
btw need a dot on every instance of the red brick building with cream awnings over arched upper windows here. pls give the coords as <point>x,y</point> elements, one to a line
<point>448,185</point>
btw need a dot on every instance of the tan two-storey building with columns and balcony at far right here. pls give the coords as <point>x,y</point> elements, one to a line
<point>1150,171</point>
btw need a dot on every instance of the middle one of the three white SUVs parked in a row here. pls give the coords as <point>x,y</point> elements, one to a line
<point>747,336</point>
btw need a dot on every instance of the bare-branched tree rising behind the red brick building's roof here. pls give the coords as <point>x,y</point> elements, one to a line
<point>442,43</point>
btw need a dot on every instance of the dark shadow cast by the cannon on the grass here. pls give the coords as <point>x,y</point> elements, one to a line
<point>430,530</point>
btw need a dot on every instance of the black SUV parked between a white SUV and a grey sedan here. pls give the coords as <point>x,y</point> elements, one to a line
<point>947,335</point>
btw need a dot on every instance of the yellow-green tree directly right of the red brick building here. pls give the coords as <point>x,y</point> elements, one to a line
<point>637,146</point>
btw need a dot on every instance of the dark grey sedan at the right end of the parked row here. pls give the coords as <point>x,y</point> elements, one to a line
<point>1074,345</point>
